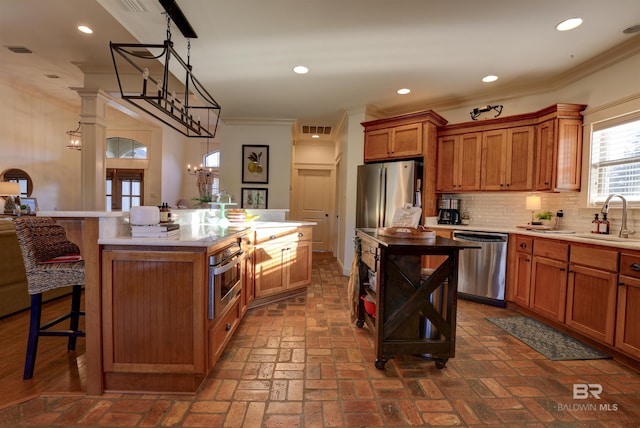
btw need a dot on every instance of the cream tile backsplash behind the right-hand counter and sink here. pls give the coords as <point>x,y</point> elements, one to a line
<point>508,210</point>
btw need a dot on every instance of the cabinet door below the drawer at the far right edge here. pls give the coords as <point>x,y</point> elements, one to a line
<point>628,321</point>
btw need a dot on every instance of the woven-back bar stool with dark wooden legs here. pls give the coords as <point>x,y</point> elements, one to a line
<point>51,261</point>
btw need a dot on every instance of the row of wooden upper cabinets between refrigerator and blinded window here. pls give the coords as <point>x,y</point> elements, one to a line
<point>535,151</point>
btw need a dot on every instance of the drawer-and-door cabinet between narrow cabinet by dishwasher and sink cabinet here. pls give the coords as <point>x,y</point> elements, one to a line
<point>549,278</point>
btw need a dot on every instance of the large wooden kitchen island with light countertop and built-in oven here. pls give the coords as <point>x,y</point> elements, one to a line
<point>151,324</point>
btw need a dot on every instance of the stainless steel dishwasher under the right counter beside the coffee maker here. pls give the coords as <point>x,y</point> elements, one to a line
<point>482,272</point>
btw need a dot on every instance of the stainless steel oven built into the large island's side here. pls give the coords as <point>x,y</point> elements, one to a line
<point>225,279</point>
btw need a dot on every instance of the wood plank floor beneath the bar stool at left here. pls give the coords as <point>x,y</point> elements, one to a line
<point>57,370</point>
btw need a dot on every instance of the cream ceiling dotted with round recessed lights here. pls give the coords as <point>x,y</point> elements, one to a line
<point>359,51</point>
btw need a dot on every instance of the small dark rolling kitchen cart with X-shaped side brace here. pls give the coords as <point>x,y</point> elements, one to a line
<point>415,310</point>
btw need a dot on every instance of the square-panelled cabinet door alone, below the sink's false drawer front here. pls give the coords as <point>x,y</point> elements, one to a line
<point>591,302</point>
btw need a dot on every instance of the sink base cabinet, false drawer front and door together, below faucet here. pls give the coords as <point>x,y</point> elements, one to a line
<point>591,294</point>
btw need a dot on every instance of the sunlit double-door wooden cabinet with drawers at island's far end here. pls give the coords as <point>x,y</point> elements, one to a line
<point>282,260</point>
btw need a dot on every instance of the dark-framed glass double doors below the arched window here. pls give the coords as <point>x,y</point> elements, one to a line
<point>124,189</point>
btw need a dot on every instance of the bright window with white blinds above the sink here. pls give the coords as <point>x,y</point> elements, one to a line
<point>615,159</point>
